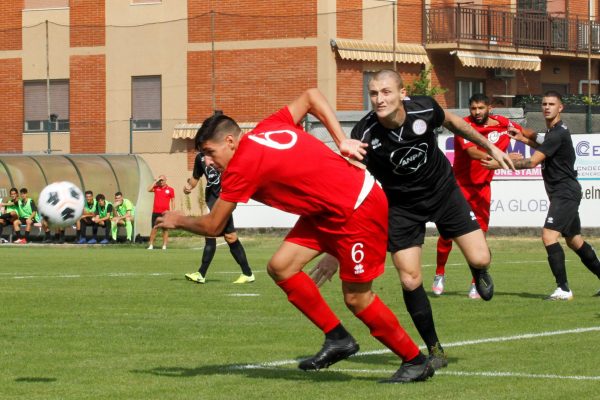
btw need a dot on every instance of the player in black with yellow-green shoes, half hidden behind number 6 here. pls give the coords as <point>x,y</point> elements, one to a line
<point>213,188</point>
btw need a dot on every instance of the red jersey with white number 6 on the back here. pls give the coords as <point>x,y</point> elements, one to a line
<point>280,165</point>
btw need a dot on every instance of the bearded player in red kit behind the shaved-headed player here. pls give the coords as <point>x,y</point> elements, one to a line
<point>473,179</point>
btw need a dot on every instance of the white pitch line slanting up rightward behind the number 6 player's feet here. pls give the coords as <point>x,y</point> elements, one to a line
<point>454,344</point>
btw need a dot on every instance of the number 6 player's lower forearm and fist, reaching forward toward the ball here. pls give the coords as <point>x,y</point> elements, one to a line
<point>211,224</point>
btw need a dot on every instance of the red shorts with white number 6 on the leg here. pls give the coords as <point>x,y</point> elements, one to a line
<point>359,244</point>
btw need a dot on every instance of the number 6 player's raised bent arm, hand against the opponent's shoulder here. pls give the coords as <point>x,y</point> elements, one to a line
<point>312,101</point>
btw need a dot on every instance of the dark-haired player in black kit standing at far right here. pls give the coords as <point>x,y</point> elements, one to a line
<point>554,150</point>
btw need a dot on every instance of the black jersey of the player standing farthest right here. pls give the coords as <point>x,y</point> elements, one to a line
<point>558,168</point>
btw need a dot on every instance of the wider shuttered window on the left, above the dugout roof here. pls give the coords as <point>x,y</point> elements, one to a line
<point>36,106</point>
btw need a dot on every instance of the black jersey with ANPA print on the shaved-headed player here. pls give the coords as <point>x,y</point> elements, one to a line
<point>413,171</point>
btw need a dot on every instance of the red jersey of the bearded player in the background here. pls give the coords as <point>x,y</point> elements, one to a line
<point>469,171</point>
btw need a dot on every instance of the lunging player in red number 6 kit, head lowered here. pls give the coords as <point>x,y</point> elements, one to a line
<point>342,212</point>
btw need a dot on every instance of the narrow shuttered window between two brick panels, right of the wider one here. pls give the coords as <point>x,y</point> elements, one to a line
<point>146,102</point>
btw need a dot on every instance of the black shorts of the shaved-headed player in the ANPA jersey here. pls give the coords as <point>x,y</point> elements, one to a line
<point>453,217</point>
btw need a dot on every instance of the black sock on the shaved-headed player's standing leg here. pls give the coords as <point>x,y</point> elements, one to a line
<point>419,308</point>
